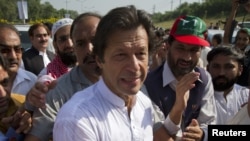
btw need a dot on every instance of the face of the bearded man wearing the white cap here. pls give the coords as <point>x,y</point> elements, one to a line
<point>64,46</point>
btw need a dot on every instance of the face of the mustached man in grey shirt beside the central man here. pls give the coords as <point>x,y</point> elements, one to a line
<point>82,36</point>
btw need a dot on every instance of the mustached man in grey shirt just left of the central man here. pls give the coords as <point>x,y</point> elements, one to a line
<point>81,76</point>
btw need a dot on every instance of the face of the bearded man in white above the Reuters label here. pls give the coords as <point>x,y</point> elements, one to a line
<point>224,72</point>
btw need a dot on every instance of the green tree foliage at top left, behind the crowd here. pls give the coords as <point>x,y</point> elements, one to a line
<point>36,11</point>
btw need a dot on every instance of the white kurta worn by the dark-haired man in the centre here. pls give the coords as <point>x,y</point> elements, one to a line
<point>99,115</point>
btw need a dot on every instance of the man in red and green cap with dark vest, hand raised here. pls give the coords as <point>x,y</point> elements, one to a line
<point>183,91</point>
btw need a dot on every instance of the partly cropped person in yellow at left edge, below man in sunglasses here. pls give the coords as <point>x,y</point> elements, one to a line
<point>13,125</point>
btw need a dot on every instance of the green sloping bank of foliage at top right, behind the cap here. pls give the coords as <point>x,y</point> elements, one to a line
<point>207,9</point>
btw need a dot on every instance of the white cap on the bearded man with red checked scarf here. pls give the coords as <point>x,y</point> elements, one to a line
<point>59,24</point>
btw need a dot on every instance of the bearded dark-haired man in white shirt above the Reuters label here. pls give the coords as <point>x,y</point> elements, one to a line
<point>225,64</point>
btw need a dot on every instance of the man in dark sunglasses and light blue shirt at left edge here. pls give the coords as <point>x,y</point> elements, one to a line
<point>20,81</point>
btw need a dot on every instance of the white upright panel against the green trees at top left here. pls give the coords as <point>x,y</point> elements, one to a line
<point>22,9</point>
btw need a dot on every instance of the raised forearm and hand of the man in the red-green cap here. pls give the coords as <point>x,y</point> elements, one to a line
<point>172,123</point>
